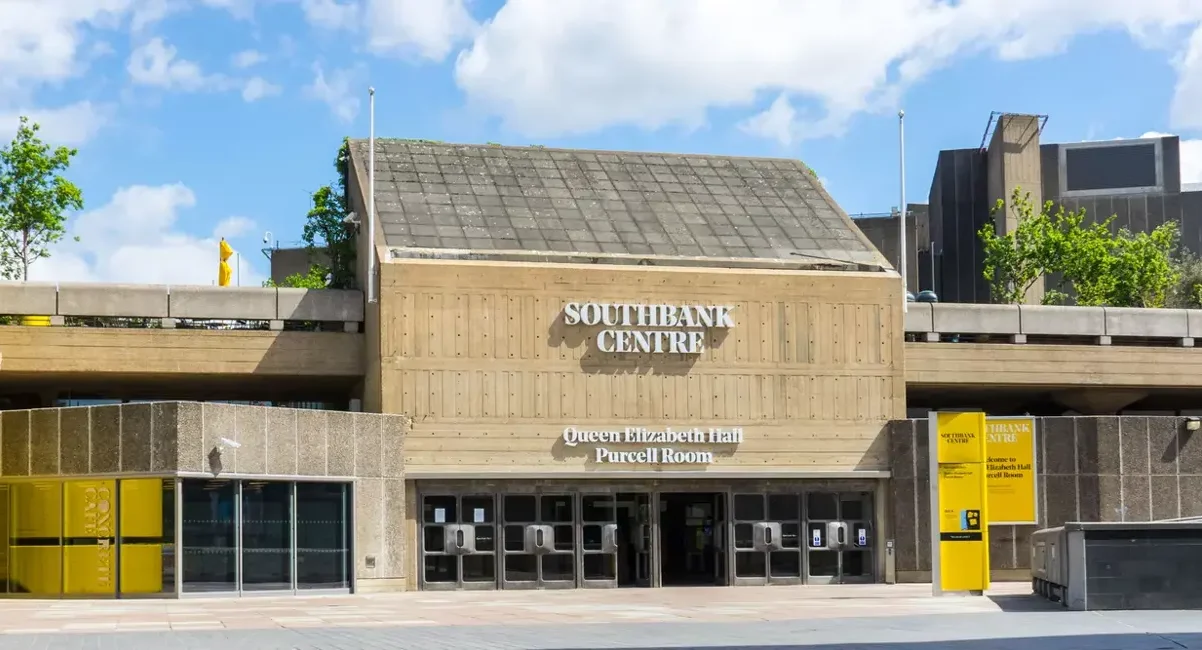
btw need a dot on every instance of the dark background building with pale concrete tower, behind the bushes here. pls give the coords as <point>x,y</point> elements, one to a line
<point>1136,181</point>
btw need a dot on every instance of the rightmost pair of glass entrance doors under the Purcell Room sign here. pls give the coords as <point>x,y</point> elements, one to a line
<point>840,538</point>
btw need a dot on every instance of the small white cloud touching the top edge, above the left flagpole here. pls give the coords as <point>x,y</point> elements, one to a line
<point>427,28</point>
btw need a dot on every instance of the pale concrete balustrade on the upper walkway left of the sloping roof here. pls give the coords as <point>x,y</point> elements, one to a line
<point>171,305</point>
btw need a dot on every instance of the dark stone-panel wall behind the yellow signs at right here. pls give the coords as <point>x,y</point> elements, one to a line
<point>1091,469</point>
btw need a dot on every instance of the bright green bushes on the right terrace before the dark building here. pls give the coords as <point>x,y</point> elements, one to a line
<point>1086,264</point>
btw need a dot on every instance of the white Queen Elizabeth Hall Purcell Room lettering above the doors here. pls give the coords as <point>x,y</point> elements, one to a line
<point>653,456</point>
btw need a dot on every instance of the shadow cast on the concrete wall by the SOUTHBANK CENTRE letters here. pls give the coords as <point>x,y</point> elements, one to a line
<point>596,362</point>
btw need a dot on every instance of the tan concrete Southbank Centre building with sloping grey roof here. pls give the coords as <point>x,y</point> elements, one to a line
<point>581,369</point>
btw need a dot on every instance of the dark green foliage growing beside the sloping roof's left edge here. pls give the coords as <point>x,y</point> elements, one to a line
<point>328,232</point>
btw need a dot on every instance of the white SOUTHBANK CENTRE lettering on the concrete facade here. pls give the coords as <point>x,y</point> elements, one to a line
<point>670,330</point>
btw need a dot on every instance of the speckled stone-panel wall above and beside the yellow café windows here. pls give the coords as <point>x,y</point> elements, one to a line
<point>171,438</point>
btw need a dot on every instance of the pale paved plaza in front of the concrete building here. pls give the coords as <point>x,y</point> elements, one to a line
<point>813,618</point>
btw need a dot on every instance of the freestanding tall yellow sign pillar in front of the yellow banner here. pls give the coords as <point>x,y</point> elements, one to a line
<point>960,522</point>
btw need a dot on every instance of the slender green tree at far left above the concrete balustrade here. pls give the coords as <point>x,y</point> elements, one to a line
<point>34,198</point>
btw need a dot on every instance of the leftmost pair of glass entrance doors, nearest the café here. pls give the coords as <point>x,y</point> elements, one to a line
<point>459,542</point>
